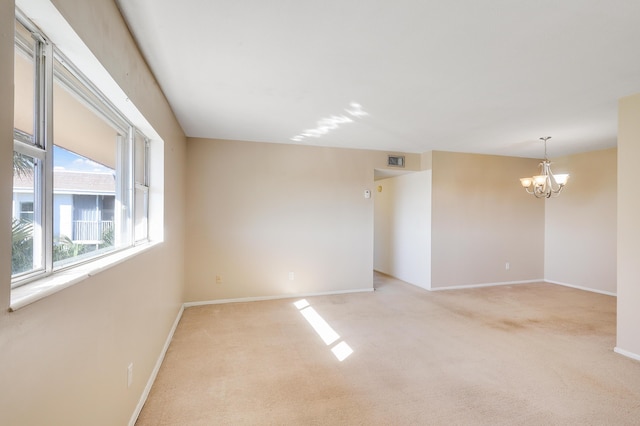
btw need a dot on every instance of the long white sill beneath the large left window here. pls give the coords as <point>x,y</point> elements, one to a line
<point>39,289</point>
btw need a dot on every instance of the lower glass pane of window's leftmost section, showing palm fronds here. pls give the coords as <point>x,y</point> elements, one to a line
<point>23,227</point>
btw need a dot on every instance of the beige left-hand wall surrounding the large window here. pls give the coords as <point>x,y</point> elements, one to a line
<point>64,359</point>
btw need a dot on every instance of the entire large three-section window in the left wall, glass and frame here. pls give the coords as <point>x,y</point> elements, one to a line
<point>81,172</point>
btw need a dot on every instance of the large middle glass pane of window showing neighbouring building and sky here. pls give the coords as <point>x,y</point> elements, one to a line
<point>84,175</point>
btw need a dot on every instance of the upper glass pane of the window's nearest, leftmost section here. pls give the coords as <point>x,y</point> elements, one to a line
<point>24,82</point>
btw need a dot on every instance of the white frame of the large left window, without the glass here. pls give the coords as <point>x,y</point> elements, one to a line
<point>40,147</point>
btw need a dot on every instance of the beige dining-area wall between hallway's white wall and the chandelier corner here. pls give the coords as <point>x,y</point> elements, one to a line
<point>482,218</point>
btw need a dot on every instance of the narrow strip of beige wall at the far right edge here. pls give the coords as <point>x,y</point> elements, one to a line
<point>628,338</point>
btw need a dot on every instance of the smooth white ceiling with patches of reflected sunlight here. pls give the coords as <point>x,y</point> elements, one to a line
<point>404,75</point>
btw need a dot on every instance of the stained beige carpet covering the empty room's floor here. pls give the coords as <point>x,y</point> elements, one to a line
<point>534,354</point>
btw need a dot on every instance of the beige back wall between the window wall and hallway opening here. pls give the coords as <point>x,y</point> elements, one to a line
<point>256,212</point>
